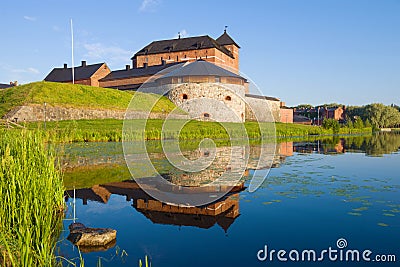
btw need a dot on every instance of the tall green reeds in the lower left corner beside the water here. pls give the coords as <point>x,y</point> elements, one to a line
<point>31,197</point>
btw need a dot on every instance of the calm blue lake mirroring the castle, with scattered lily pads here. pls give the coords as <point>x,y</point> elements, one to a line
<point>337,193</point>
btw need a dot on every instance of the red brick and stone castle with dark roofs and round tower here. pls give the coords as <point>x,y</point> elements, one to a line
<point>199,74</point>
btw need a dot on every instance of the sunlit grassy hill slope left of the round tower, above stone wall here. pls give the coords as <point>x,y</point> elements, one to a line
<point>77,96</point>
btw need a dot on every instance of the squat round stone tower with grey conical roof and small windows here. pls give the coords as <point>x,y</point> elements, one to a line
<point>206,91</point>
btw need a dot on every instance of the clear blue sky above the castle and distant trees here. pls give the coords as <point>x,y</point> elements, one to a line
<point>301,51</point>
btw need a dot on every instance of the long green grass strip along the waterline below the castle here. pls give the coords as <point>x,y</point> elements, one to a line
<point>111,130</point>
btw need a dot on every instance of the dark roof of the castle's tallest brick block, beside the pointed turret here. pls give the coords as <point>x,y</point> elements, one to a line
<point>182,44</point>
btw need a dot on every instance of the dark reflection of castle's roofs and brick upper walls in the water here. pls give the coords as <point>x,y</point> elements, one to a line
<point>222,212</point>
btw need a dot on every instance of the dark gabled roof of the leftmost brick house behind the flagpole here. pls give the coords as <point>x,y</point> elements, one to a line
<point>80,73</point>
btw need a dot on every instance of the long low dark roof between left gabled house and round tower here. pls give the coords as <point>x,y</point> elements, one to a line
<point>138,72</point>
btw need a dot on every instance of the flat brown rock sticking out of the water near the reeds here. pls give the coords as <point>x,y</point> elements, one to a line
<point>84,236</point>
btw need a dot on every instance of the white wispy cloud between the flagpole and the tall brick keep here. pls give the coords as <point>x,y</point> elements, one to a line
<point>109,54</point>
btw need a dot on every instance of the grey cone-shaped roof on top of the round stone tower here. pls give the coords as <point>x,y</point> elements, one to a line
<point>201,68</point>
